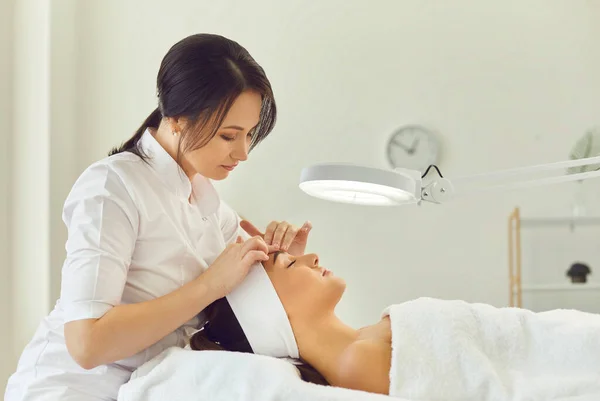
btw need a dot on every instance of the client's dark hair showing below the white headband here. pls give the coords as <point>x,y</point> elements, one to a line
<point>222,332</point>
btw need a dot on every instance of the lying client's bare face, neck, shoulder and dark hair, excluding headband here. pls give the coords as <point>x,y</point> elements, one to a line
<point>341,355</point>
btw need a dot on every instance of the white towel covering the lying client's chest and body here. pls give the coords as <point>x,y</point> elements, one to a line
<point>453,350</point>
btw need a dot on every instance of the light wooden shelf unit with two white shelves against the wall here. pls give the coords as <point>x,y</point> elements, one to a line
<point>515,224</point>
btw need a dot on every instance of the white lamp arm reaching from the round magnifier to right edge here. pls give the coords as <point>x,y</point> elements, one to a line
<point>442,189</point>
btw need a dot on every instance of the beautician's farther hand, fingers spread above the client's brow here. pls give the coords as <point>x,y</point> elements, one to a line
<point>282,235</point>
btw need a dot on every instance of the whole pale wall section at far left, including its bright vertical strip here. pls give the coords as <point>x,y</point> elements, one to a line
<point>38,157</point>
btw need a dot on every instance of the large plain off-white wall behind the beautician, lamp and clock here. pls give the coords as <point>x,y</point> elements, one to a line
<point>504,83</point>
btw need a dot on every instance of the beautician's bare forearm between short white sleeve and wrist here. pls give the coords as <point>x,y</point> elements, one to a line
<point>128,329</point>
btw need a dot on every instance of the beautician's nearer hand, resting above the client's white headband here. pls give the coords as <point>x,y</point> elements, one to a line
<point>233,264</point>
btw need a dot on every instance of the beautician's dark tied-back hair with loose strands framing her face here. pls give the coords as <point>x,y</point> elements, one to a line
<point>199,78</point>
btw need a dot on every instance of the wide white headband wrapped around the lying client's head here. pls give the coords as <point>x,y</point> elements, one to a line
<point>262,317</point>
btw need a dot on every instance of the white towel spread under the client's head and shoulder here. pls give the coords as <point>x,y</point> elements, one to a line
<point>179,374</point>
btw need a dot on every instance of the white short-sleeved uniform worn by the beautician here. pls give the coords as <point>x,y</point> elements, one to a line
<point>133,235</point>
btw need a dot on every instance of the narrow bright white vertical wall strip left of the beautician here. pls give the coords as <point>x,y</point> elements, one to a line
<point>31,169</point>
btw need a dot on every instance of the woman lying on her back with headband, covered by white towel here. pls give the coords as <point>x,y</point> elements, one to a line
<point>421,349</point>
